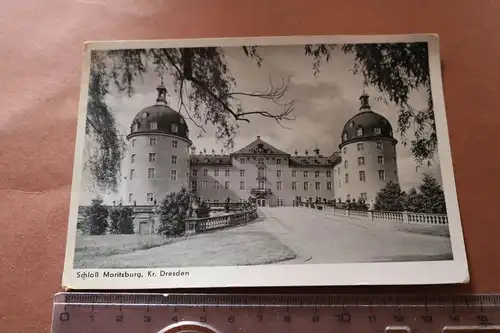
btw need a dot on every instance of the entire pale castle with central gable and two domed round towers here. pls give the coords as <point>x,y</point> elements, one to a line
<point>162,159</point>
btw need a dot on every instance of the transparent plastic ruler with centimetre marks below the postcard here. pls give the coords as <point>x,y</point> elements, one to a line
<point>217,313</point>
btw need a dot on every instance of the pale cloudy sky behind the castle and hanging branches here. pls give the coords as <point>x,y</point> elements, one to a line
<point>323,104</point>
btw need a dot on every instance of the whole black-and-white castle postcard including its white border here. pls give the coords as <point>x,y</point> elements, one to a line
<point>263,162</point>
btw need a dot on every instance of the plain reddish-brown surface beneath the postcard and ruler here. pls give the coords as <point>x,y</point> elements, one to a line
<point>41,50</point>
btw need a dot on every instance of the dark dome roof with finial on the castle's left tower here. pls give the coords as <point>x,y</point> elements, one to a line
<point>159,118</point>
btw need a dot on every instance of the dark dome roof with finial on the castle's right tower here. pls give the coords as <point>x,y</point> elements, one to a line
<point>366,125</point>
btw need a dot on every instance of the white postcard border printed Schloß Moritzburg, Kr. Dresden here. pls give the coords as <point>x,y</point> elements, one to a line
<point>394,273</point>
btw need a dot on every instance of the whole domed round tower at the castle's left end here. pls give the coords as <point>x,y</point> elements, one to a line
<point>157,153</point>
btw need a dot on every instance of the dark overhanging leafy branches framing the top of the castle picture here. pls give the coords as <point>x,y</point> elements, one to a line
<point>207,92</point>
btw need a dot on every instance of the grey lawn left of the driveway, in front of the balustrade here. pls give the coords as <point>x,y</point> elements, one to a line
<point>243,245</point>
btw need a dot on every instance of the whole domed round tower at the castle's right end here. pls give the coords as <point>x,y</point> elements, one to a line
<point>368,151</point>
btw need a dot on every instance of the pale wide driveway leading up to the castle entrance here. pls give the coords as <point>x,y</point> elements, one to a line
<point>318,238</point>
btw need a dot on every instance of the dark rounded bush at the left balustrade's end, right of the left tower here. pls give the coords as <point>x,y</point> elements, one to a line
<point>173,211</point>
